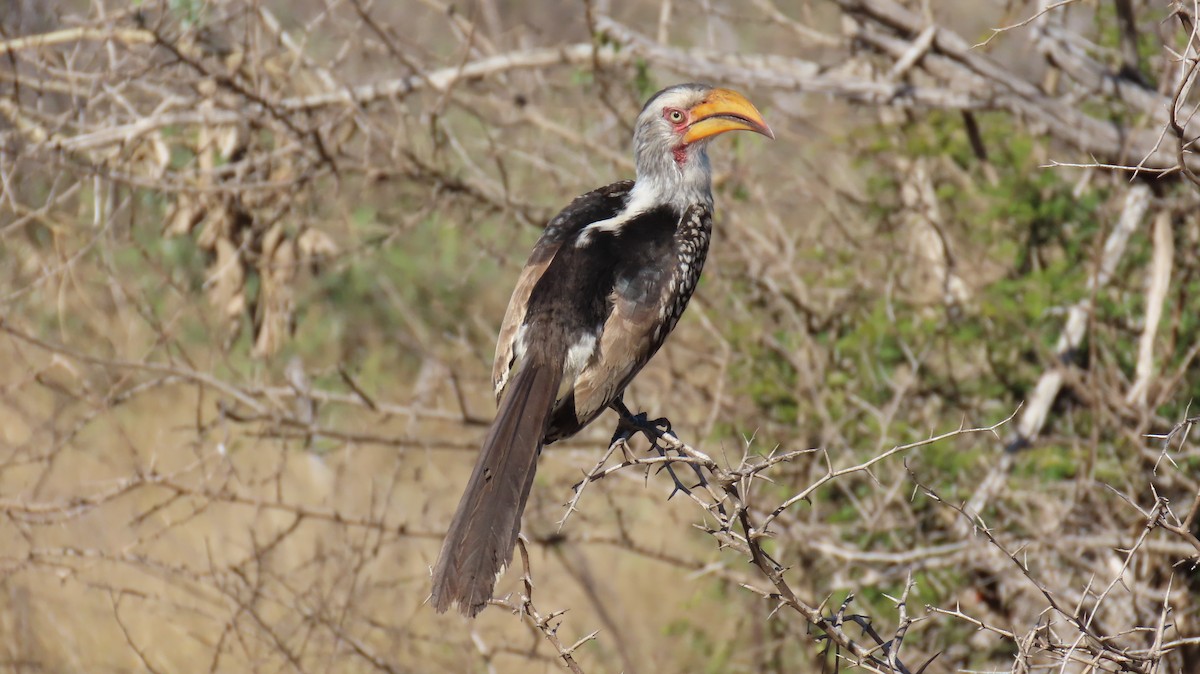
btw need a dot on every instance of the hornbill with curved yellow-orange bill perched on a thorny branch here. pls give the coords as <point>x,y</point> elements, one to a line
<point>607,282</point>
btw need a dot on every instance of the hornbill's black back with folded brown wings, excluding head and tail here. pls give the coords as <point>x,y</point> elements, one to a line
<point>613,282</point>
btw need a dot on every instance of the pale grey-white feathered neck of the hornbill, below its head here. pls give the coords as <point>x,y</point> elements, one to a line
<point>679,179</point>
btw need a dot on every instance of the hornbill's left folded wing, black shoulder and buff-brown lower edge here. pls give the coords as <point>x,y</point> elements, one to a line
<point>596,206</point>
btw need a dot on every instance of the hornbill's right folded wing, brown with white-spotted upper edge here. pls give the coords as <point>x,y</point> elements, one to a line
<point>641,317</point>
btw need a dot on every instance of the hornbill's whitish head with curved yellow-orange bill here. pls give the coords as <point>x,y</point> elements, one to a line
<point>674,131</point>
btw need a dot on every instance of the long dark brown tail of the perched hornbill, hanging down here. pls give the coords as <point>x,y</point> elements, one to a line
<point>484,531</point>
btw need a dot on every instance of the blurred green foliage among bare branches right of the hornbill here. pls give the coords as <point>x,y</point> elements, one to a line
<point>1036,234</point>
